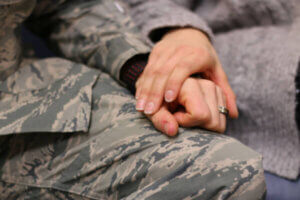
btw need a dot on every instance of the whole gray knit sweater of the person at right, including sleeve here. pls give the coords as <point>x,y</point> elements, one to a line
<point>258,42</point>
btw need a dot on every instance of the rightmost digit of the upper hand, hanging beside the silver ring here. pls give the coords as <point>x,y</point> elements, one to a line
<point>220,78</point>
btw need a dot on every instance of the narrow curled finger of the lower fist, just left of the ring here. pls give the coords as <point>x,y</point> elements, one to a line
<point>211,98</point>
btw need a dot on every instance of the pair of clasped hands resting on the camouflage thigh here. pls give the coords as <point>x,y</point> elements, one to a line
<point>165,86</point>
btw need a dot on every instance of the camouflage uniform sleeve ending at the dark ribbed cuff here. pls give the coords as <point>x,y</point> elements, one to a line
<point>97,33</point>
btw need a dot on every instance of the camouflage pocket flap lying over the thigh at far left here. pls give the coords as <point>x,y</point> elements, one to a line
<point>52,104</point>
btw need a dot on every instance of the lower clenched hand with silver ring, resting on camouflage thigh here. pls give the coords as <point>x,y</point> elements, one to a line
<point>196,106</point>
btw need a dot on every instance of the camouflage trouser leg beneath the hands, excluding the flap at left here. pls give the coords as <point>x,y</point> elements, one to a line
<point>123,157</point>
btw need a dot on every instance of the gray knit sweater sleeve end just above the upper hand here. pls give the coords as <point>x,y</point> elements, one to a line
<point>156,17</point>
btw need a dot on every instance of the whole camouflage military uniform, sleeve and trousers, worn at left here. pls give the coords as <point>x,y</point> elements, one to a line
<point>69,131</point>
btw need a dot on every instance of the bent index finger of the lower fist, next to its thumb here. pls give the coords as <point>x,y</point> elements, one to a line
<point>196,112</point>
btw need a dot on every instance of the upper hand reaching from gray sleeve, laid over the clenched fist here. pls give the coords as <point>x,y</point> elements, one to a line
<point>178,55</point>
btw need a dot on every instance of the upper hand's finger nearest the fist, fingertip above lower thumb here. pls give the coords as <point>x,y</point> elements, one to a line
<point>191,62</point>
